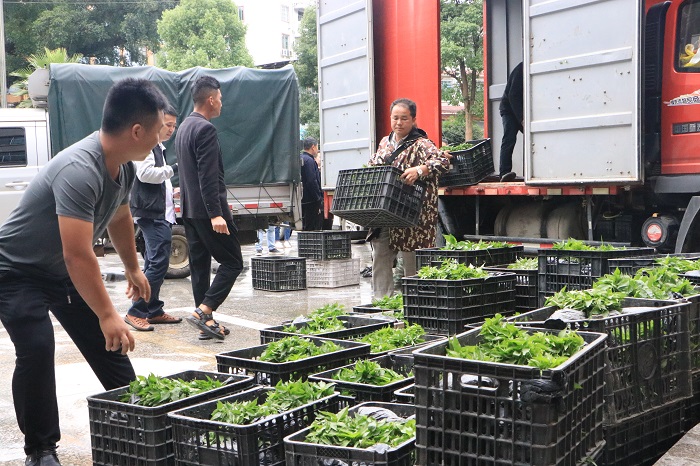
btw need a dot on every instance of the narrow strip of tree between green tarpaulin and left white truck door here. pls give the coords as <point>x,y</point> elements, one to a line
<point>306,68</point>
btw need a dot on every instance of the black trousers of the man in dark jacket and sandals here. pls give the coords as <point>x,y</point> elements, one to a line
<point>204,243</point>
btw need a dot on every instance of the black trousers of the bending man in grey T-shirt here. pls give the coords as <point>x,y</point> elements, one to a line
<point>24,311</point>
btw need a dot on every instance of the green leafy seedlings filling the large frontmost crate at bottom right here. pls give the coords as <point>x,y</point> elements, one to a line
<point>505,343</point>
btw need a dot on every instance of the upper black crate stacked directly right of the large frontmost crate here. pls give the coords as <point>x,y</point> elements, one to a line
<point>647,358</point>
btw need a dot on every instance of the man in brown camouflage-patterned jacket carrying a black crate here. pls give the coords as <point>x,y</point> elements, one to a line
<point>419,159</point>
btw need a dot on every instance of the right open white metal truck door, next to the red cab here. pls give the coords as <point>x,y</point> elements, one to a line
<point>582,91</point>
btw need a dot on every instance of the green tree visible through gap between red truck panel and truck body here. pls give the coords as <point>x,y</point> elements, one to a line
<point>461,43</point>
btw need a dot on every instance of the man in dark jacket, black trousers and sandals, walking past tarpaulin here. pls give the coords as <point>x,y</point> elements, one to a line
<point>205,212</point>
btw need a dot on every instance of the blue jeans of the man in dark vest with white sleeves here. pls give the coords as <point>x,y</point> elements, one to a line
<point>158,235</point>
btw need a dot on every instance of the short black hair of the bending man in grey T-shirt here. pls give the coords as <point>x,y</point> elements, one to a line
<point>131,101</point>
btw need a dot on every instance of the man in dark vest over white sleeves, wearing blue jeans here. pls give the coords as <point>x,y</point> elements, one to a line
<point>153,211</point>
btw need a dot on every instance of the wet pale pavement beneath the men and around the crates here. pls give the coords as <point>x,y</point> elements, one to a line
<point>167,350</point>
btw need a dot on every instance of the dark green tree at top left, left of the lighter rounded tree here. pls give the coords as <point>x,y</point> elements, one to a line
<point>108,32</point>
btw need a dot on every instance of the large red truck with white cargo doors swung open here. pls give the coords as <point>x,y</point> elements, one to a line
<point>611,146</point>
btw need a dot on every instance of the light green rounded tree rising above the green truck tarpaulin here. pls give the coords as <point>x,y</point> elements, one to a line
<point>202,33</point>
